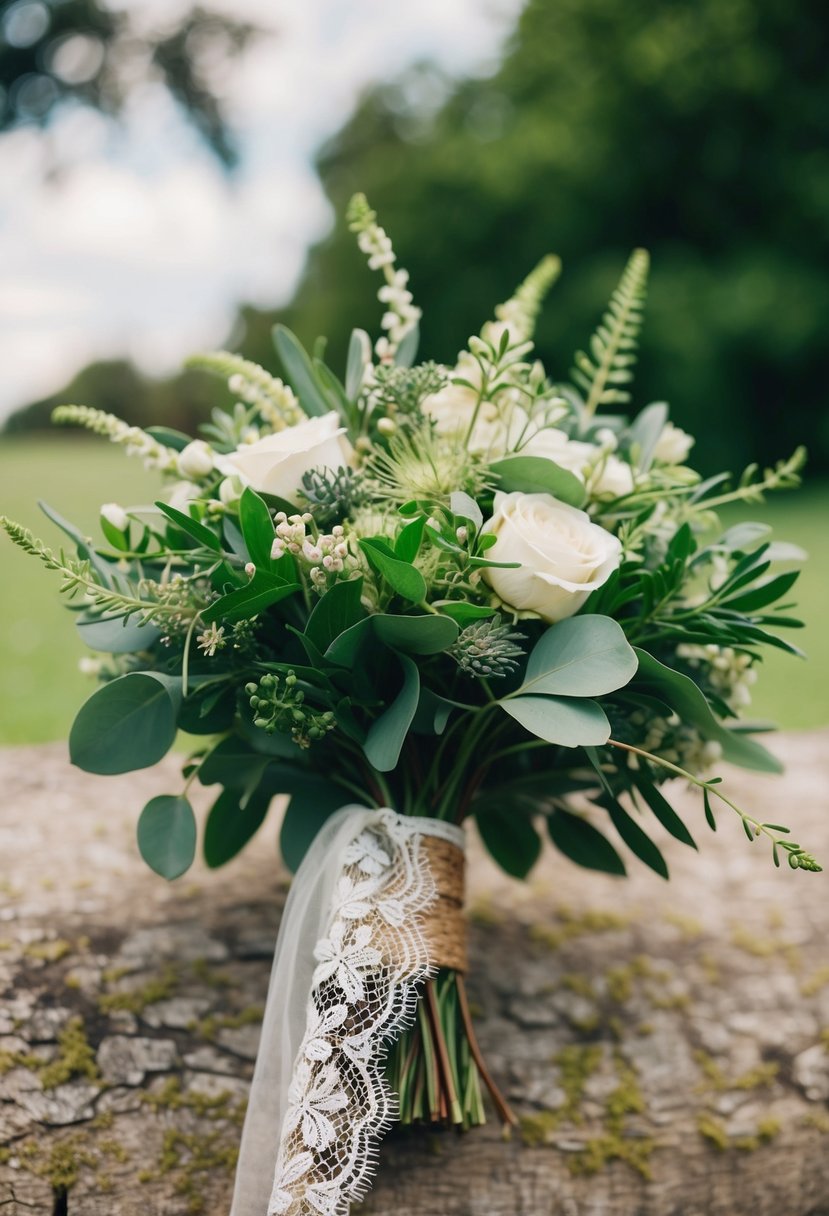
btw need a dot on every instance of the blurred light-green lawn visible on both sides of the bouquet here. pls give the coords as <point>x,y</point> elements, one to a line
<point>42,688</point>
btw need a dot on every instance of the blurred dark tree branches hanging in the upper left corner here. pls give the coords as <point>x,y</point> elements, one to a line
<point>59,50</point>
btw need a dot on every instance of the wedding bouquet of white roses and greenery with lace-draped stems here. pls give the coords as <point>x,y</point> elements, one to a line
<point>432,594</point>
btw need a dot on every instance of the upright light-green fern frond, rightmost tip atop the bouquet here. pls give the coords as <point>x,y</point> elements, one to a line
<point>613,347</point>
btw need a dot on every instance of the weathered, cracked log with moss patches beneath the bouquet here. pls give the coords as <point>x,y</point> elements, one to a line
<point>667,1046</point>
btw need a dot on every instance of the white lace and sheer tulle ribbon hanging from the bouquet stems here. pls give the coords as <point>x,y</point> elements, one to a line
<point>351,955</point>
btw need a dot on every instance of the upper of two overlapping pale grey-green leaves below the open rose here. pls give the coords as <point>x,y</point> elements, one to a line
<point>580,657</point>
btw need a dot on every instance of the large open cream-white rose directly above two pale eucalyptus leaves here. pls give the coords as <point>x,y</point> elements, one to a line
<point>563,555</point>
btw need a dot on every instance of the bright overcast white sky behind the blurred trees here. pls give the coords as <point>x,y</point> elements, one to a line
<point>144,247</point>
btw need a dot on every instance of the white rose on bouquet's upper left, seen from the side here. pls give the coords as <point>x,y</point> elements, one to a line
<point>277,464</point>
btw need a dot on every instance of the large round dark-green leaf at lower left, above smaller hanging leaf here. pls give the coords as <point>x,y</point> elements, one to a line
<point>128,724</point>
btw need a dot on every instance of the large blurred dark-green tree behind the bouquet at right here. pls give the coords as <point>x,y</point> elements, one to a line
<point>697,128</point>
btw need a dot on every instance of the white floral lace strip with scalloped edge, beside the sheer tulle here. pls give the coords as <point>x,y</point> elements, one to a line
<point>363,997</point>
